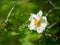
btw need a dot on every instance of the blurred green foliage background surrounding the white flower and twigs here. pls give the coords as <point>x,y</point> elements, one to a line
<point>16,32</point>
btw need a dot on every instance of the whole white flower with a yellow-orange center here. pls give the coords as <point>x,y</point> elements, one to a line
<point>38,22</point>
